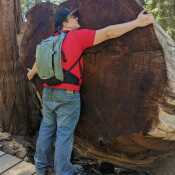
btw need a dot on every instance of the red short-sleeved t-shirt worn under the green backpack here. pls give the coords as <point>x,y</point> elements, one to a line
<point>73,46</point>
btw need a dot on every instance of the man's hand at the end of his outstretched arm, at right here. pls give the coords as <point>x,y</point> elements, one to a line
<point>144,19</point>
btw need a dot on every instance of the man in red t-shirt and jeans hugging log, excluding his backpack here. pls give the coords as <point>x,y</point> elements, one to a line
<point>61,103</point>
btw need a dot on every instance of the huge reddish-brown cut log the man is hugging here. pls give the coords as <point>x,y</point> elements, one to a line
<point>125,96</point>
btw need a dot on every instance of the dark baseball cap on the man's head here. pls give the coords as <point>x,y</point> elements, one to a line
<point>62,14</point>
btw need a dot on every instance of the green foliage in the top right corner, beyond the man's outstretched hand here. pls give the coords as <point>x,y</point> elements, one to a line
<point>164,12</point>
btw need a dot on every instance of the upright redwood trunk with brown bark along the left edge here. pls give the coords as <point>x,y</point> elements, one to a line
<point>15,110</point>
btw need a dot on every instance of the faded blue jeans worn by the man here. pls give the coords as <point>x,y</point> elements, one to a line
<point>61,111</point>
